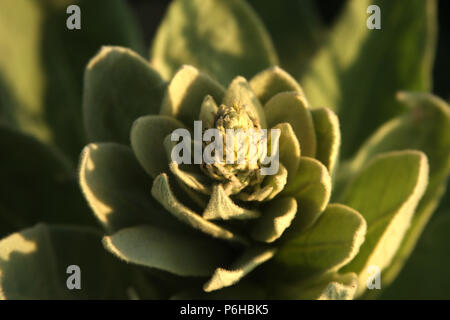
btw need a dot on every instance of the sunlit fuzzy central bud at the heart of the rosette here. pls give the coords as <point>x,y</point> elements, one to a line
<point>240,164</point>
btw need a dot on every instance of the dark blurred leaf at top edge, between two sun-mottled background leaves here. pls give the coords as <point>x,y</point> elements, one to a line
<point>296,30</point>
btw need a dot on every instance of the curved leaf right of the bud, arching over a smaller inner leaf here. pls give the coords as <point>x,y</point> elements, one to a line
<point>292,107</point>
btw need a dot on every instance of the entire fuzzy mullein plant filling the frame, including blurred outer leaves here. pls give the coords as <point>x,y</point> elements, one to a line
<point>336,207</point>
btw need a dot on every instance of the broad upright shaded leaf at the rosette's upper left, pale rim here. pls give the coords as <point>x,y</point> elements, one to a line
<point>119,87</point>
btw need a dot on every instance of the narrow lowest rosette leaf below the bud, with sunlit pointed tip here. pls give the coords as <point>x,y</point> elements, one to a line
<point>249,260</point>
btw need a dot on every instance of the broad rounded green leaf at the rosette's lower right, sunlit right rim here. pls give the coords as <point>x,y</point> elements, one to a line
<point>329,244</point>
